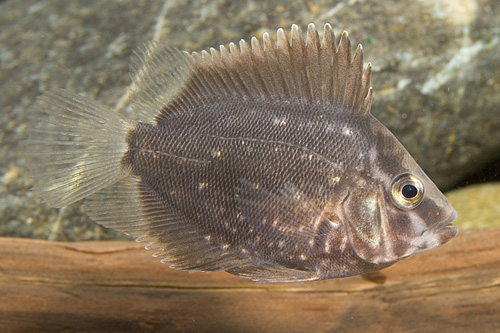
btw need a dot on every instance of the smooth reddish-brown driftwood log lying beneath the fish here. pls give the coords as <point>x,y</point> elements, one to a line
<point>119,287</point>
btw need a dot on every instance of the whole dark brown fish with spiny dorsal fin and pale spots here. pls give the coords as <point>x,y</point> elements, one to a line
<point>261,159</point>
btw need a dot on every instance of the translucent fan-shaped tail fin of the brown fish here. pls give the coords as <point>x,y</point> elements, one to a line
<point>75,147</point>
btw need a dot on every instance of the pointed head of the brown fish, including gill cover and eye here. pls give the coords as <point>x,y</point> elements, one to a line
<point>392,209</point>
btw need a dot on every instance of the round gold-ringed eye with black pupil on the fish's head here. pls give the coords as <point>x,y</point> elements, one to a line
<point>407,191</point>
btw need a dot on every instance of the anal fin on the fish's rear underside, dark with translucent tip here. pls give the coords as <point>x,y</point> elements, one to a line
<point>131,207</point>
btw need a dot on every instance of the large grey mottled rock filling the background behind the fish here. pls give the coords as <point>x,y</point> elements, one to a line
<point>436,75</point>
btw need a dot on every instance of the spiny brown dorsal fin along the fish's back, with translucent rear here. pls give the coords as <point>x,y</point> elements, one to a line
<point>308,70</point>
